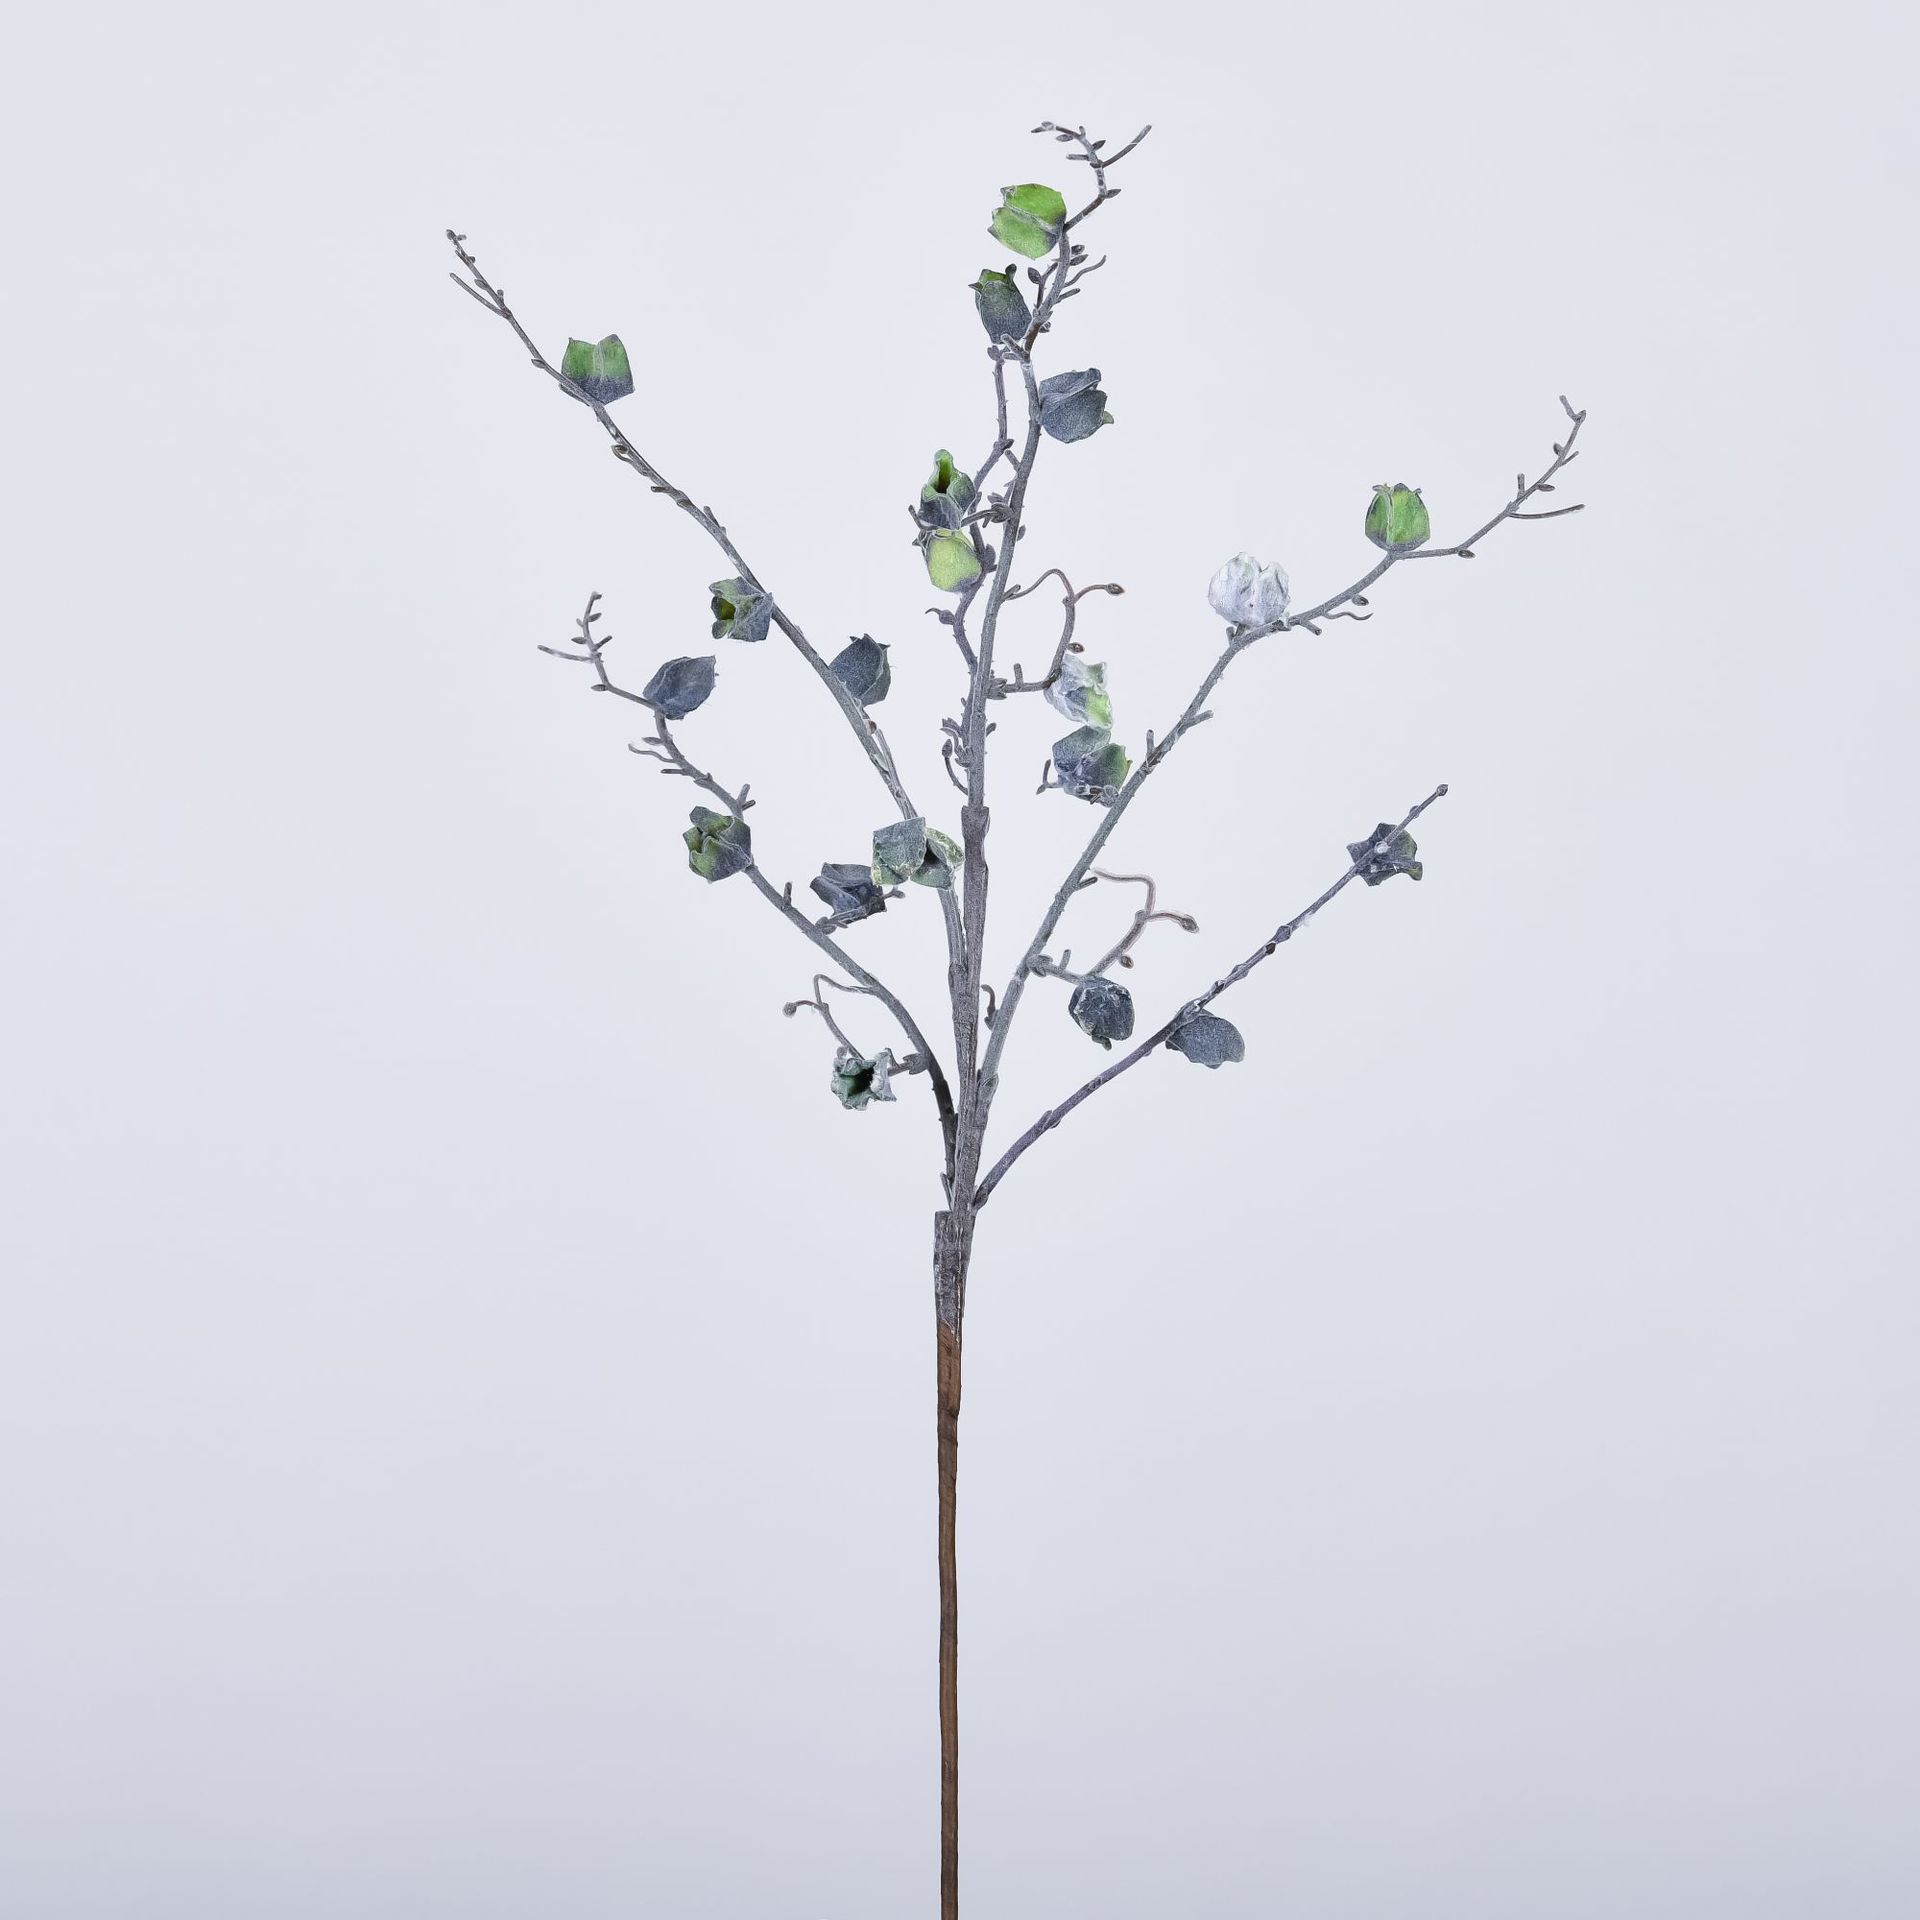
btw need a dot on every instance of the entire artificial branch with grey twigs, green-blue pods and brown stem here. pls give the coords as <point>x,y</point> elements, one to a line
<point>971,533</point>
